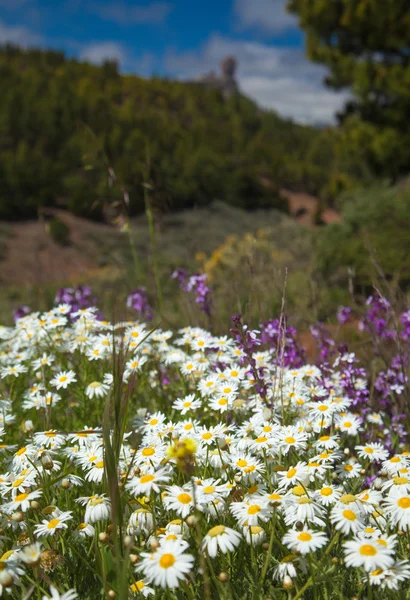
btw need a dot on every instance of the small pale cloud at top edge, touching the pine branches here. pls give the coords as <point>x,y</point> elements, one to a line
<point>269,16</point>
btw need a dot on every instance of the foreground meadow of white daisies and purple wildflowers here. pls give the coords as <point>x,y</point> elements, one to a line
<point>139,462</point>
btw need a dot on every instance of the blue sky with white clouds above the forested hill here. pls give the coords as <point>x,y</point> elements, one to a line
<point>183,39</point>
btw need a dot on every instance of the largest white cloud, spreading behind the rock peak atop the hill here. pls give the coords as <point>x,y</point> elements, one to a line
<point>276,78</point>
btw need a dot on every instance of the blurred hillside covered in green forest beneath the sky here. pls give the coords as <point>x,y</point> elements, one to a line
<point>64,124</point>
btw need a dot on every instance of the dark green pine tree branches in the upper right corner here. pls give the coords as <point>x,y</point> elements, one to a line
<point>365,45</point>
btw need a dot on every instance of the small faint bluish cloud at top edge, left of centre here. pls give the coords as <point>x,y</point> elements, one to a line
<point>124,14</point>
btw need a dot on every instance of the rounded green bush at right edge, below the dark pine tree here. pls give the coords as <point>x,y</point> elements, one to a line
<point>372,238</point>
